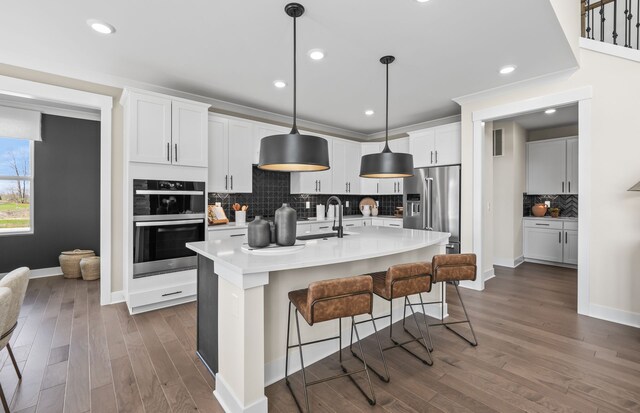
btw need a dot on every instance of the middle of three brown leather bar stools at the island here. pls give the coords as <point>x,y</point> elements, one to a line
<point>401,281</point>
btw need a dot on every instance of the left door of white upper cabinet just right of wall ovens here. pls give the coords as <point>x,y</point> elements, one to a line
<point>218,155</point>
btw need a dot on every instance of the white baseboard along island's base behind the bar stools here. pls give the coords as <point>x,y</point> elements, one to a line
<point>274,370</point>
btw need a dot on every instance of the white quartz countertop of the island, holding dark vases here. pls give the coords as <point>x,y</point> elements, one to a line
<point>363,243</point>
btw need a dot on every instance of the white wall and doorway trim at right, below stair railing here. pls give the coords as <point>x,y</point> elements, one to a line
<point>614,242</point>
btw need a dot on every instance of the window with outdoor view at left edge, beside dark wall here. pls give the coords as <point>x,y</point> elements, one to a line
<point>16,183</point>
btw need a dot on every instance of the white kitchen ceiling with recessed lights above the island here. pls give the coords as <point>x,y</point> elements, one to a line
<point>234,50</point>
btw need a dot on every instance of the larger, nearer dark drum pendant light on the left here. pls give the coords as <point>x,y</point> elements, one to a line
<point>294,152</point>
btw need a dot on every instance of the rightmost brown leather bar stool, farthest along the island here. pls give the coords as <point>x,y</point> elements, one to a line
<point>453,268</point>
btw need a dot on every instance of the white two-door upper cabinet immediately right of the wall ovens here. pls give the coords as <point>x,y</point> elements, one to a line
<point>230,155</point>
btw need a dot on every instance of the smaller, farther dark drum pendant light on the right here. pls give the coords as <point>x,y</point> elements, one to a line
<point>386,164</point>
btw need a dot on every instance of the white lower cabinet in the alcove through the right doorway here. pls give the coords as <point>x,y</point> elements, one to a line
<point>551,240</point>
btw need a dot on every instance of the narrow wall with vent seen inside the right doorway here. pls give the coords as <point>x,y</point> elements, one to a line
<point>508,187</point>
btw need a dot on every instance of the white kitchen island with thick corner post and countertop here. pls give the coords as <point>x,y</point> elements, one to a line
<point>252,301</point>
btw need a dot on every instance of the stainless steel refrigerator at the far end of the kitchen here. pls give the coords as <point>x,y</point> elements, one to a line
<point>432,202</point>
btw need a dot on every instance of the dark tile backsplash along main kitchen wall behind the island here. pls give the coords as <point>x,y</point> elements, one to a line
<point>272,189</point>
